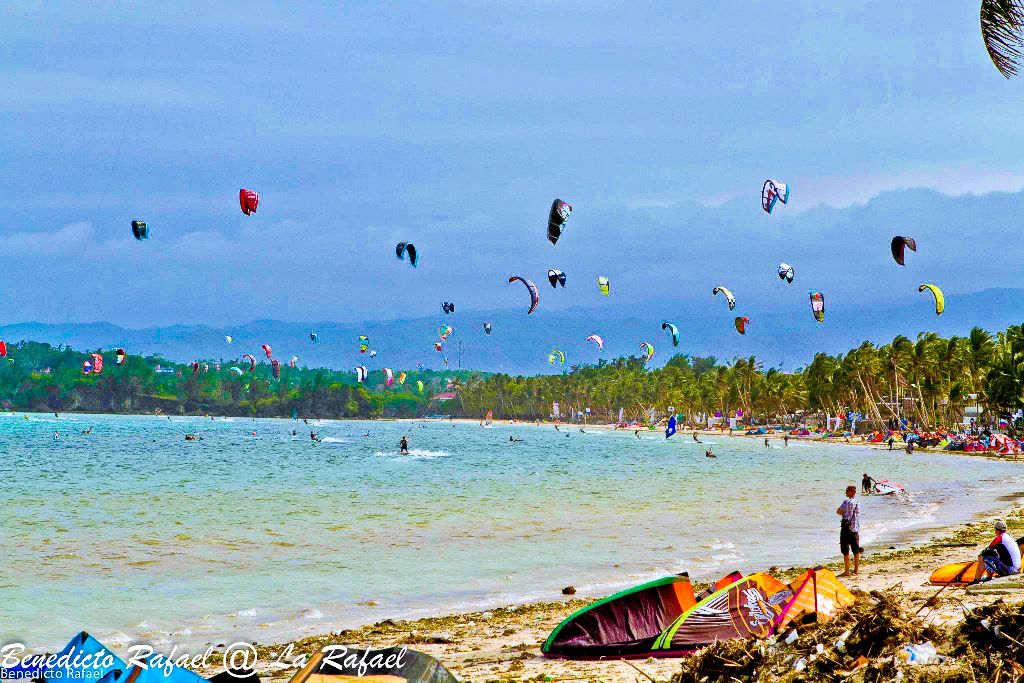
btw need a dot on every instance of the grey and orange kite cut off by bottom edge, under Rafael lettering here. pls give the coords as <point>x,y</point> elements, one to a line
<point>392,665</point>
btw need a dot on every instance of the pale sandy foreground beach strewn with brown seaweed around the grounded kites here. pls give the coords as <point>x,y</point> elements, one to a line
<point>503,644</point>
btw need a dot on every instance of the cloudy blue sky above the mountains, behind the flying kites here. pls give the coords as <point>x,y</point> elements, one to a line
<point>454,125</point>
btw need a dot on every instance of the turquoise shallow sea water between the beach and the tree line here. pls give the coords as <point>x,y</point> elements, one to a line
<point>136,535</point>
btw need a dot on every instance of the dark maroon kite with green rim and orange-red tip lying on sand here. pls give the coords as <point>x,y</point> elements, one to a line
<point>627,623</point>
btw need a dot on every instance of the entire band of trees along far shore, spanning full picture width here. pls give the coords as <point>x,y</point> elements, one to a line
<point>929,382</point>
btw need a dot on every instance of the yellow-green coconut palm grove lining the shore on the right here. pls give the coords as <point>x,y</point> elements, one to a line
<point>930,380</point>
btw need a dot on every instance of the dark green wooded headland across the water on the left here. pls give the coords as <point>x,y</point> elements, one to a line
<point>40,377</point>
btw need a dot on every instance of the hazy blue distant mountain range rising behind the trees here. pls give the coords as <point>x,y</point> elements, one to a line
<point>520,345</point>
